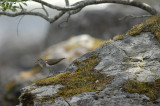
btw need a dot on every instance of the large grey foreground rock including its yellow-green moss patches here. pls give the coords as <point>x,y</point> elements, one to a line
<point>123,72</point>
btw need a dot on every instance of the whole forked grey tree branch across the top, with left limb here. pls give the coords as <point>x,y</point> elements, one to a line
<point>75,8</point>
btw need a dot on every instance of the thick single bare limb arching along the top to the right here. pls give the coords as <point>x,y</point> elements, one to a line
<point>82,4</point>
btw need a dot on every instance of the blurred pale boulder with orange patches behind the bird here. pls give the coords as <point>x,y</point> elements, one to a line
<point>70,49</point>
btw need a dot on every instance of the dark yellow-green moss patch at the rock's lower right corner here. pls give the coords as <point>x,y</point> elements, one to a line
<point>150,89</point>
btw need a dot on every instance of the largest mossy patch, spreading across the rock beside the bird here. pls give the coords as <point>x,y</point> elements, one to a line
<point>84,79</point>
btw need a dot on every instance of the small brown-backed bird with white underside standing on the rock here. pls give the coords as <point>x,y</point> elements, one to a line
<point>49,63</point>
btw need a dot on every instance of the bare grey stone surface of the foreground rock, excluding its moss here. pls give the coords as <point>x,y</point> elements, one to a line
<point>130,58</point>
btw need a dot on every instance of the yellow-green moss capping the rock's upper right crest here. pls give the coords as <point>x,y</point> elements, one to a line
<point>151,25</point>
